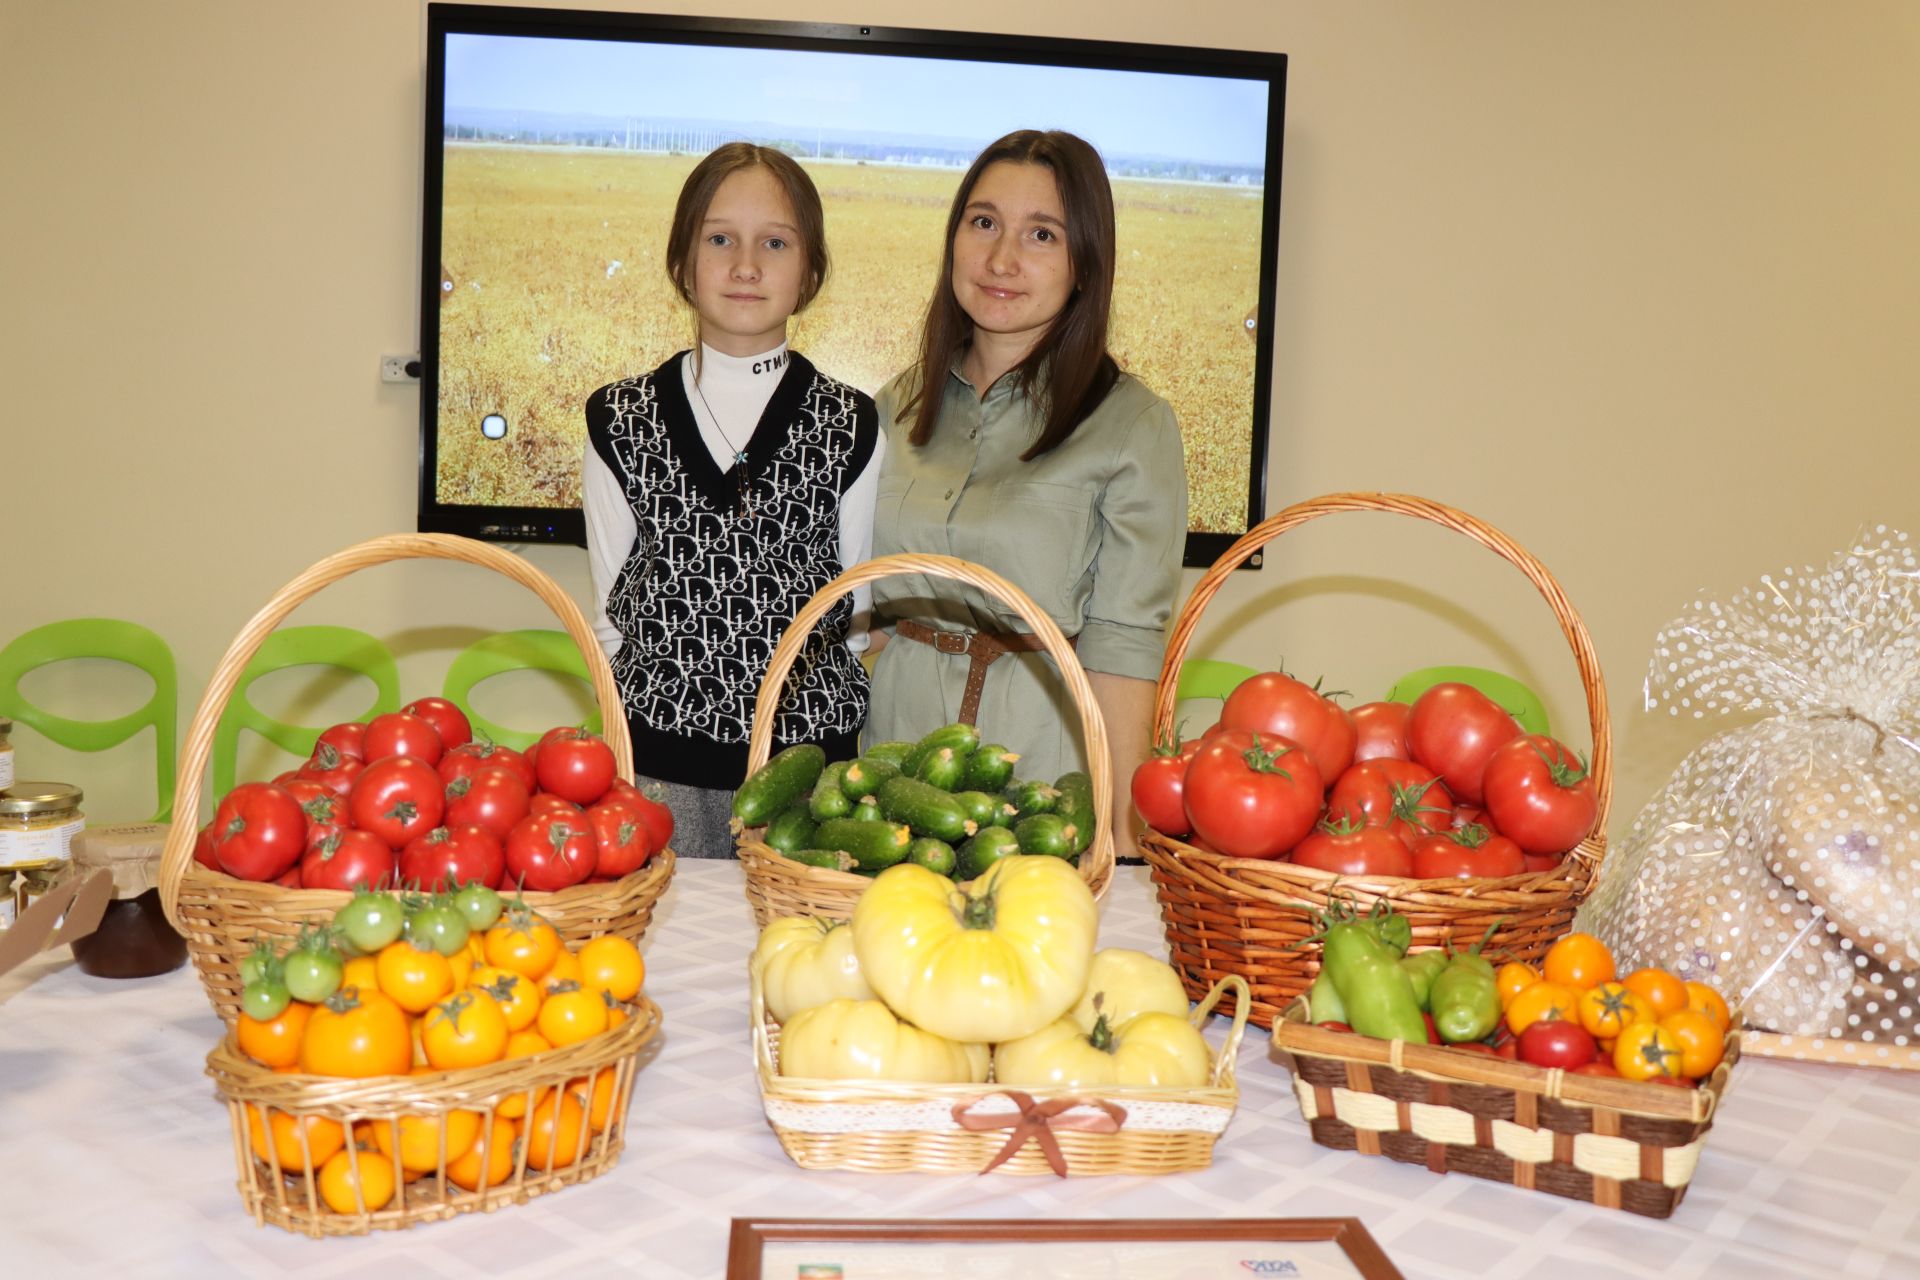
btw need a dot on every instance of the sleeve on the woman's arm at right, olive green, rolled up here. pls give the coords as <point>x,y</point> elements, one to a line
<point>1138,567</point>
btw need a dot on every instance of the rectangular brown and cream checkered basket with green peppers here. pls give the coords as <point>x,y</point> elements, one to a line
<point>1620,1145</point>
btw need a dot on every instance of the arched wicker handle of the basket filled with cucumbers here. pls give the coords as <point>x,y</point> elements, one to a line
<point>1093,730</point>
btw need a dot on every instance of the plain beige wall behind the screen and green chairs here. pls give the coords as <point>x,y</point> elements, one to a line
<point>1637,283</point>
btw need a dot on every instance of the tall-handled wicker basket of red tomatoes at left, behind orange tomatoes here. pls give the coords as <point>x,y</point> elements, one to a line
<point>222,916</point>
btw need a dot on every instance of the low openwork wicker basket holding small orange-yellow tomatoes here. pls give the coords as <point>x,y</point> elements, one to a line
<point>293,1198</point>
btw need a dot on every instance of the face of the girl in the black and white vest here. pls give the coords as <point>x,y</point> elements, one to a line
<point>748,266</point>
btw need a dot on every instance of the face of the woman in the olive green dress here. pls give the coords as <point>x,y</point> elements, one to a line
<point>1013,270</point>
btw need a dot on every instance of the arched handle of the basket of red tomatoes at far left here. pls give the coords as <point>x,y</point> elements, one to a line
<point>178,855</point>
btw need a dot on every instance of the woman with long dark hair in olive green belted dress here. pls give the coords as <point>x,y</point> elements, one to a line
<point>1019,444</point>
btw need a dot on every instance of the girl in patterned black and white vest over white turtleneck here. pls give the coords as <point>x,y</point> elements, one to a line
<point>727,488</point>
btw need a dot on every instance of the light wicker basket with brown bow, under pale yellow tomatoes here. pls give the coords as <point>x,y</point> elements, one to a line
<point>886,1127</point>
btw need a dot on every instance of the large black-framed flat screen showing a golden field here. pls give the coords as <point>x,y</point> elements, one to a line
<point>558,143</point>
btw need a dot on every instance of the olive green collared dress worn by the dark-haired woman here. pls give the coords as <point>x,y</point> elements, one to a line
<point>1093,531</point>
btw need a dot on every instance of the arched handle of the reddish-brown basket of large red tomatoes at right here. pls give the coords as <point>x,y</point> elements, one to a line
<point>1447,517</point>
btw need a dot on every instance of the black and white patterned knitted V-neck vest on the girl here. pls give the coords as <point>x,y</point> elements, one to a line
<point>717,575</point>
